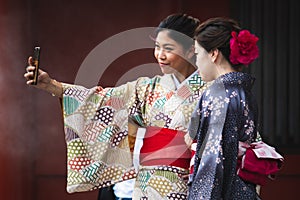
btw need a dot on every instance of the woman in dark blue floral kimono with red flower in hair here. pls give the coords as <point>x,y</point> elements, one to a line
<point>227,112</point>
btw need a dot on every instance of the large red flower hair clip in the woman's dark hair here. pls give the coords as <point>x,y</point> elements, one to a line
<point>243,47</point>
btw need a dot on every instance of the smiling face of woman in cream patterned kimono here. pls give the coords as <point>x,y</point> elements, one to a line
<point>170,55</point>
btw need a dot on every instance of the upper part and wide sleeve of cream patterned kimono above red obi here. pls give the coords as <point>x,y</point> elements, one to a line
<point>99,141</point>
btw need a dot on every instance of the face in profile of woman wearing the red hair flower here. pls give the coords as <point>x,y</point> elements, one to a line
<point>204,61</point>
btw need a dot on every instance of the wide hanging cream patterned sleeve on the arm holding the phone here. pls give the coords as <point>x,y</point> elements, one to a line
<point>96,134</point>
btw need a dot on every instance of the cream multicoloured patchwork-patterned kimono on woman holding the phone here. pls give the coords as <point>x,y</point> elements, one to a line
<point>99,138</point>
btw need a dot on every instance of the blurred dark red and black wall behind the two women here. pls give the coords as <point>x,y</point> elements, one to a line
<point>33,150</point>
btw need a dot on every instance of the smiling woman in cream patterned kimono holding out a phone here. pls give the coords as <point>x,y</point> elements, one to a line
<point>100,123</point>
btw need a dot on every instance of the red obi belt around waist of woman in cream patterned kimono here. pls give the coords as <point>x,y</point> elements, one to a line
<point>163,146</point>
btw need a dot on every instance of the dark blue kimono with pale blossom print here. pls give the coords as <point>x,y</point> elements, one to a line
<point>226,114</point>
